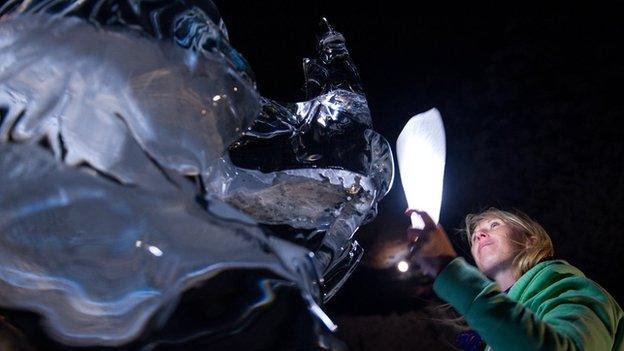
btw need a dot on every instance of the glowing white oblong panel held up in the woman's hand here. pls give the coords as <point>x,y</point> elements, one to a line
<point>421,153</point>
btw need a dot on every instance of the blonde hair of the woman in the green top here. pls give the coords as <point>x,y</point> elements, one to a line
<point>533,252</point>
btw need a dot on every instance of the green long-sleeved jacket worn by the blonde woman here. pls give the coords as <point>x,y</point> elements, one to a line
<point>553,306</point>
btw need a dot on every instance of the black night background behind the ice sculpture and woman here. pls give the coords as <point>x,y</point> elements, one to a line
<point>531,102</point>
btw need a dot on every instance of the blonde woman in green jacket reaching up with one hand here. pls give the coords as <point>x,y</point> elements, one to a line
<point>534,302</point>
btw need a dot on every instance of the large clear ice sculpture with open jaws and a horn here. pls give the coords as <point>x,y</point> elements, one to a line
<point>138,160</point>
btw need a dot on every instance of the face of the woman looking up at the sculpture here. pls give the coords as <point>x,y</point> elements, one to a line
<point>495,244</point>
